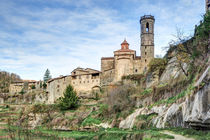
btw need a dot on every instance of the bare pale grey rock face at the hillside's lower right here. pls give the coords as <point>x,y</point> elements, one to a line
<point>193,112</point>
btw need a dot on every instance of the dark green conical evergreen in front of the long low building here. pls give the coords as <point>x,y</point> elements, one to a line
<point>70,99</point>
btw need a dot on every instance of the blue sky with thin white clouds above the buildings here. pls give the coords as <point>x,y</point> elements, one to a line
<point>62,35</point>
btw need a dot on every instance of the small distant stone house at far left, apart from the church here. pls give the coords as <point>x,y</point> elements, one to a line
<point>25,85</point>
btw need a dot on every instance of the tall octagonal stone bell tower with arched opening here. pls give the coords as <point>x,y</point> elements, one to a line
<point>147,39</point>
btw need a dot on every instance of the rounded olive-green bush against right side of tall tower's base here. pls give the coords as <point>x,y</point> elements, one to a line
<point>157,64</point>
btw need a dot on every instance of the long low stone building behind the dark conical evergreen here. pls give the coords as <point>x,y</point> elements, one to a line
<point>84,81</point>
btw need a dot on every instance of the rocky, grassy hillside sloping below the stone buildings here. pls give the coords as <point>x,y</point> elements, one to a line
<point>173,95</point>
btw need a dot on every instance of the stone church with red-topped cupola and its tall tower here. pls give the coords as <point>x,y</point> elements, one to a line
<point>125,61</point>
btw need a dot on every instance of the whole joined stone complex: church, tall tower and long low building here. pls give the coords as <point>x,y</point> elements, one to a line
<point>124,62</point>
